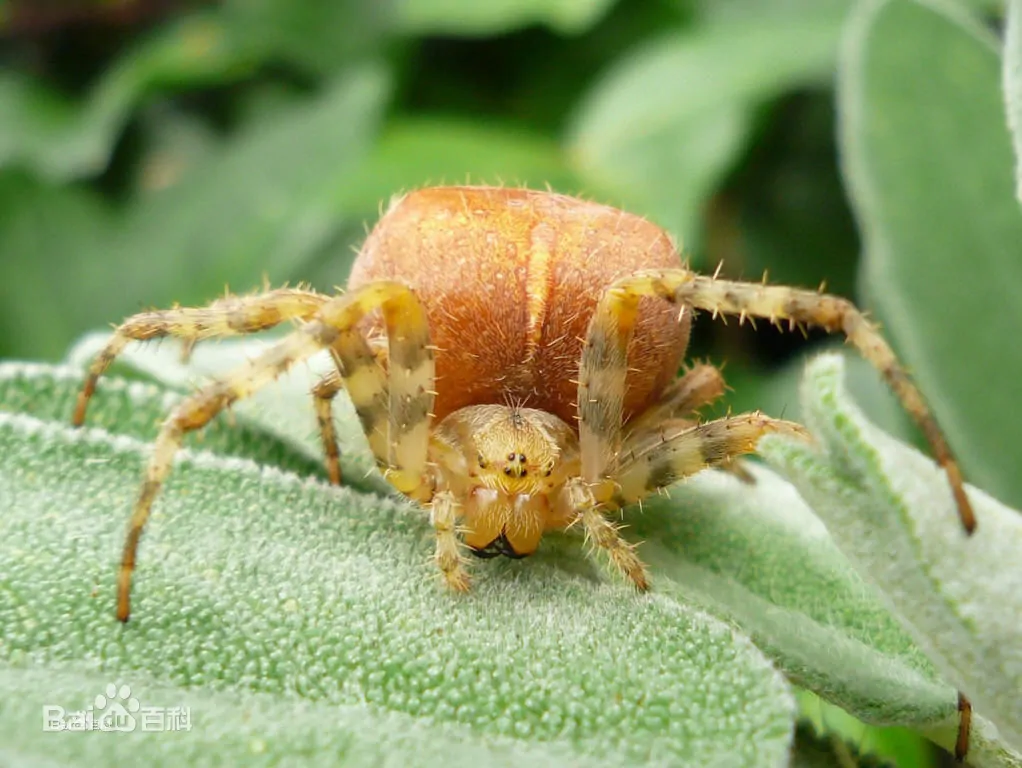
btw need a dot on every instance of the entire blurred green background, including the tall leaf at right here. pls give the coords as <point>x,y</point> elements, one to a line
<point>155,152</point>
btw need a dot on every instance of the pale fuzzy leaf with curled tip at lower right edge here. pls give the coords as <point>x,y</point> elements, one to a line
<point>891,511</point>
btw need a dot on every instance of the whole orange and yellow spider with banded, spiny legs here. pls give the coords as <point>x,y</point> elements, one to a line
<point>513,357</point>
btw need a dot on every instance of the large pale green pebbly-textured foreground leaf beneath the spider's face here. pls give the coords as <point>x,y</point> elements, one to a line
<point>544,659</point>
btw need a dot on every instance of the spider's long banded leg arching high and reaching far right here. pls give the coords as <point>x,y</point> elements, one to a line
<point>600,393</point>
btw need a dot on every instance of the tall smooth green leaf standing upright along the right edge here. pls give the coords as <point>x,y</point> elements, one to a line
<point>928,163</point>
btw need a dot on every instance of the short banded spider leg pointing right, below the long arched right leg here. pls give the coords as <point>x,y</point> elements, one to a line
<point>662,458</point>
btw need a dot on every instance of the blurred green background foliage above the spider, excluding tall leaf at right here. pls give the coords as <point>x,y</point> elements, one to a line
<point>154,153</point>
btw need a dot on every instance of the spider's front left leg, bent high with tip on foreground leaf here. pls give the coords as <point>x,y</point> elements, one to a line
<point>407,397</point>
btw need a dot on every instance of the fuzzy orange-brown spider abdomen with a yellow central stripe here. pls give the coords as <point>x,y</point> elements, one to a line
<point>510,279</point>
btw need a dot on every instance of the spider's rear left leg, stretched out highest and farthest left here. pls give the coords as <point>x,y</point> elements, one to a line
<point>225,318</point>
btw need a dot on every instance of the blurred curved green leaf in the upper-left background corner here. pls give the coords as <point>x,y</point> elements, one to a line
<point>62,141</point>
